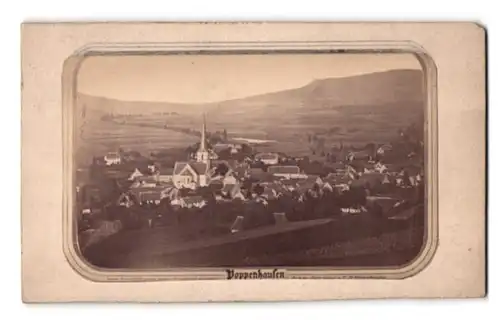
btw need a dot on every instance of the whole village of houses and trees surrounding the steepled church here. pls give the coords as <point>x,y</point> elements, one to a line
<point>221,186</point>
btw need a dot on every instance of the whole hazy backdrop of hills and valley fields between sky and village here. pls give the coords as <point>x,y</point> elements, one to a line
<point>373,113</point>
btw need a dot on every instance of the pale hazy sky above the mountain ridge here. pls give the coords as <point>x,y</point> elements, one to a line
<point>201,79</point>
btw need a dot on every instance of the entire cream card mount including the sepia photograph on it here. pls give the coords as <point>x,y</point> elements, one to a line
<point>253,161</point>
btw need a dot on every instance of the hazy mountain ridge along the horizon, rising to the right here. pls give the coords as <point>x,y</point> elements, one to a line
<point>403,86</point>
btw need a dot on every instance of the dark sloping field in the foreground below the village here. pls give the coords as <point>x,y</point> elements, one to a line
<point>330,243</point>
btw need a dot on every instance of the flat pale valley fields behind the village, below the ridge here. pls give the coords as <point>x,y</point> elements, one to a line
<point>351,126</point>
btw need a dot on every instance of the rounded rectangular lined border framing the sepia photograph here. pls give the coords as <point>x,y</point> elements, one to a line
<point>70,240</point>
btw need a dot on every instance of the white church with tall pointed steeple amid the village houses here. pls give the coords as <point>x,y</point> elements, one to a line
<point>195,173</point>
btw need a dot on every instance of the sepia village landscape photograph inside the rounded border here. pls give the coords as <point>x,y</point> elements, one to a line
<point>260,160</point>
